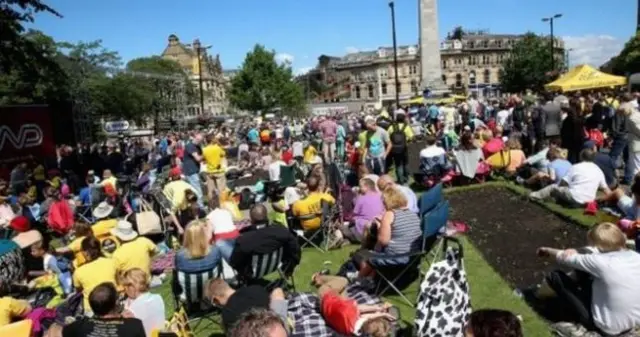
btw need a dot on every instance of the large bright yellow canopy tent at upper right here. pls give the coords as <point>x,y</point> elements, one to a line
<point>584,77</point>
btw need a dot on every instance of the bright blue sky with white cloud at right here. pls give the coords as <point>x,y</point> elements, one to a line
<point>302,30</point>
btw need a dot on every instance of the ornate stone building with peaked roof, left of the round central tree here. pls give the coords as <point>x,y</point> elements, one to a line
<point>214,84</point>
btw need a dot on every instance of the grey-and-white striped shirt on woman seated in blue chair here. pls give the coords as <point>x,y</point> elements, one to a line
<point>406,235</point>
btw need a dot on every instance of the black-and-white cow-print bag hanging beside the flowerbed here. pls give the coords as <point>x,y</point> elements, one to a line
<point>444,305</point>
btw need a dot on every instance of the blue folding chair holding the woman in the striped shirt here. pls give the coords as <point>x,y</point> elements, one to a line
<point>433,224</point>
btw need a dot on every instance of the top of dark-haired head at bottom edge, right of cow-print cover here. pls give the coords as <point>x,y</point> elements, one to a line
<point>493,323</point>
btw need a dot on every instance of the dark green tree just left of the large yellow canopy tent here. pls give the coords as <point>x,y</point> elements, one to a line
<point>529,65</point>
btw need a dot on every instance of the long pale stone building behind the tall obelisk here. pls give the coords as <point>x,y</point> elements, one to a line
<point>470,64</point>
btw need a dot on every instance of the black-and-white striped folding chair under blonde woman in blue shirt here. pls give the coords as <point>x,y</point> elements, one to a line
<point>189,293</point>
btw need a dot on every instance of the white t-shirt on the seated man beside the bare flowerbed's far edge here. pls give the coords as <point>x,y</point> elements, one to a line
<point>584,180</point>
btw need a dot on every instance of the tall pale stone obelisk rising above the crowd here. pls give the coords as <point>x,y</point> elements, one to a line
<point>431,73</point>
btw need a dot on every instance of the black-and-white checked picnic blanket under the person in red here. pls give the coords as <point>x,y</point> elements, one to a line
<point>308,322</point>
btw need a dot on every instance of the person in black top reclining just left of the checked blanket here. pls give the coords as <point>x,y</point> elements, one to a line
<point>235,303</point>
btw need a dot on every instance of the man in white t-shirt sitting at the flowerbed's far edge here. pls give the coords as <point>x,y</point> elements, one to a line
<point>579,186</point>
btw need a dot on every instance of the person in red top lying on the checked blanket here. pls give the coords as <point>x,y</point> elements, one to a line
<point>344,315</point>
